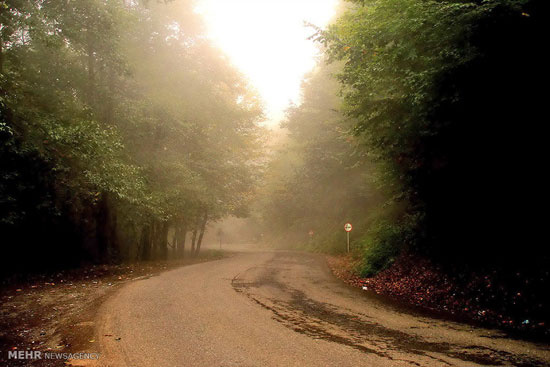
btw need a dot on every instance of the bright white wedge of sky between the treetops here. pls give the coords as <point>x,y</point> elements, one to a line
<point>267,40</point>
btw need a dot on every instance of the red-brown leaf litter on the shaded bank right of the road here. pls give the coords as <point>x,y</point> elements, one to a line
<point>515,303</point>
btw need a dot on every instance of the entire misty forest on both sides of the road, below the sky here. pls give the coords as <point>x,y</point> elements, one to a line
<point>125,133</point>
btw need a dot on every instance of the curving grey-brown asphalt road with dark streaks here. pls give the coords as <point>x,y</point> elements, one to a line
<point>284,309</point>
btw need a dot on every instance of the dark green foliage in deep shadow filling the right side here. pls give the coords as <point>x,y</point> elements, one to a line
<point>443,93</point>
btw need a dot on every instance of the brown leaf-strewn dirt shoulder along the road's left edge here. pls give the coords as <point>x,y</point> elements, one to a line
<point>55,313</point>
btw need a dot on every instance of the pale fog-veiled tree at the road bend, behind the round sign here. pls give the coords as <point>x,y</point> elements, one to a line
<point>320,178</point>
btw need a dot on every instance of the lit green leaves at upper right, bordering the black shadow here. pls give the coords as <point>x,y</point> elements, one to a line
<point>394,52</point>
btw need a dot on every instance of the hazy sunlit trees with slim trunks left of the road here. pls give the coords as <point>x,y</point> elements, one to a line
<point>120,123</point>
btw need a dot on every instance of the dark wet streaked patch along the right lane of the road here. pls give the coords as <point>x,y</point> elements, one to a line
<point>325,321</point>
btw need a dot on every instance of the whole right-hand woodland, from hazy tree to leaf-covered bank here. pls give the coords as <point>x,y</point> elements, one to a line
<point>423,127</point>
